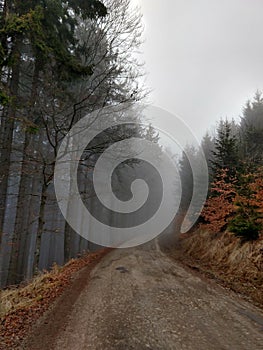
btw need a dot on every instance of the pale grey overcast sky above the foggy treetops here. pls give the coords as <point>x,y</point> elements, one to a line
<point>204,58</point>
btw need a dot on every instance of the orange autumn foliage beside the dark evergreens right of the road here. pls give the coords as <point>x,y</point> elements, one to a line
<point>230,198</point>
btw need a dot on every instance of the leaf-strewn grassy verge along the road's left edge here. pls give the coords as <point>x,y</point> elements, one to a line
<point>22,306</point>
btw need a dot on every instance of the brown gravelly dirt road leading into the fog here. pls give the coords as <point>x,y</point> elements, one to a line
<point>140,299</point>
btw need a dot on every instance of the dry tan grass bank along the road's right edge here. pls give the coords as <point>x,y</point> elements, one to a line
<point>239,265</point>
